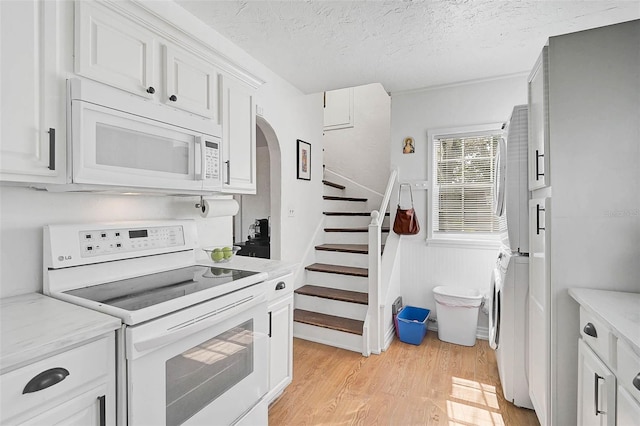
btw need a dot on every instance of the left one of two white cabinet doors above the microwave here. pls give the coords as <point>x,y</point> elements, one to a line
<point>113,50</point>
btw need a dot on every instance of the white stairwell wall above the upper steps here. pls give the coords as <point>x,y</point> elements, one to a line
<point>360,153</point>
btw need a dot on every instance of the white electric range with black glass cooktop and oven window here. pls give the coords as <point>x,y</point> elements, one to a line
<point>193,345</point>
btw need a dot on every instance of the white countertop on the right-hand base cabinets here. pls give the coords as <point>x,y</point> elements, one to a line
<point>620,311</point>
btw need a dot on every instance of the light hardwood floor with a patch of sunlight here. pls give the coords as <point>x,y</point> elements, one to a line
<point>436,383</point>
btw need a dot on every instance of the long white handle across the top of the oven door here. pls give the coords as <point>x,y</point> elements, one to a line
<point>200,323</point>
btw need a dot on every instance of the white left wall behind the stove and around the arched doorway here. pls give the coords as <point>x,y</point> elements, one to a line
<point>292,115</point>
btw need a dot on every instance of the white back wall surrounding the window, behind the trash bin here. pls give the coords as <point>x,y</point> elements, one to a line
<point>413,114</point>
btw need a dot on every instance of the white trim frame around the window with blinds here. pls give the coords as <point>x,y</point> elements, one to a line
<point>459,239</point>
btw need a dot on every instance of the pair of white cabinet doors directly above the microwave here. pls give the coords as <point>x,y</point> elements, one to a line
<point>115,50</point>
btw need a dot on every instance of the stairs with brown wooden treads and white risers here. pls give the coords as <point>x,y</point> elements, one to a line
<point>331,307</point>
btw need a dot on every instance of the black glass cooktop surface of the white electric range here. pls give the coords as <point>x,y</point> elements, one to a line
<point>137,293</point>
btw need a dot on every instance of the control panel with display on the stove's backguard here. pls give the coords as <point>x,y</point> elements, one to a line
<point>100,242</point>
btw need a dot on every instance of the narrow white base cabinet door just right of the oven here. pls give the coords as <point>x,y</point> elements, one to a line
<point>280,346</point>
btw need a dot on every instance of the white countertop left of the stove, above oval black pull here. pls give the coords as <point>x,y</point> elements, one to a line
<point>34,326</point>
